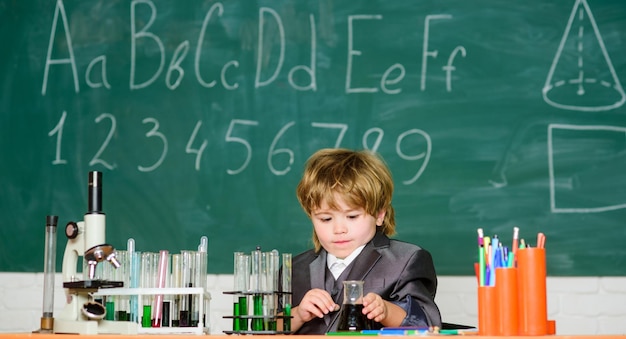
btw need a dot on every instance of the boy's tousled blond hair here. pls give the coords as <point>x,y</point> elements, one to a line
<point>361,178</point>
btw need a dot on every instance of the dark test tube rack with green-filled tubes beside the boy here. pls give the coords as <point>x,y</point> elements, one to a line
<point>250,319</point>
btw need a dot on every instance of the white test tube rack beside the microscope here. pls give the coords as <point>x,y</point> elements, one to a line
<point>205,296</point>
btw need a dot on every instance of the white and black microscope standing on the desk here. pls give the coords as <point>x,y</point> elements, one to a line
<point>82,314</point>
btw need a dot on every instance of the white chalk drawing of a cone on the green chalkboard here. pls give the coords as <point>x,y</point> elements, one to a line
<point>582,77</point>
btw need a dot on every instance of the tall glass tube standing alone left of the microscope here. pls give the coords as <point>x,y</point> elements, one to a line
<point>49,269</point>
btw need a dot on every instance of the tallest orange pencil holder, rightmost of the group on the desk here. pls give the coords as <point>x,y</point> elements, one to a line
<point>533,308</point>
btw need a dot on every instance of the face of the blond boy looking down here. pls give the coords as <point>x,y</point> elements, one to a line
<point>340,231</point>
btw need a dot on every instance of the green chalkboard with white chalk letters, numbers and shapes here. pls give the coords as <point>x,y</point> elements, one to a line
<point>201,114</point>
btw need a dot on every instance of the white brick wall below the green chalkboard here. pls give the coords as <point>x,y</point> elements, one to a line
<point>580,305</point>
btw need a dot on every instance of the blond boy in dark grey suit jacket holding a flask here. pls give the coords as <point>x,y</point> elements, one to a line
<point>347,195</point>
